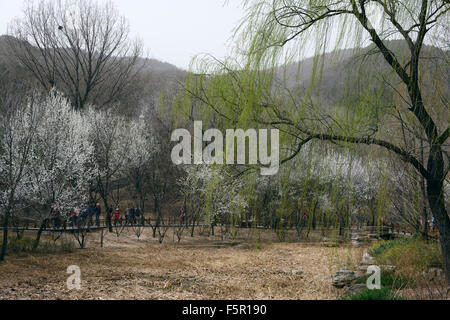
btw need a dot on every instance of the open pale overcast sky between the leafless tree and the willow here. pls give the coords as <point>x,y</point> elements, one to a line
<point>173,31</point>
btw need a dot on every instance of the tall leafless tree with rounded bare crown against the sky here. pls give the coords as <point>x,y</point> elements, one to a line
<point>80,47</point>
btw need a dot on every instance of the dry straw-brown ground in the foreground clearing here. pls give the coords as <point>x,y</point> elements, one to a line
<point>197,268</point>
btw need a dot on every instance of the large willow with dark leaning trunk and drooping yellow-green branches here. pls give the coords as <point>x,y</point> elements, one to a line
<point>397,92</point>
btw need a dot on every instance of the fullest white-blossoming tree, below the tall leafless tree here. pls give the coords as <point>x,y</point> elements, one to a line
<point>60,166</point>
